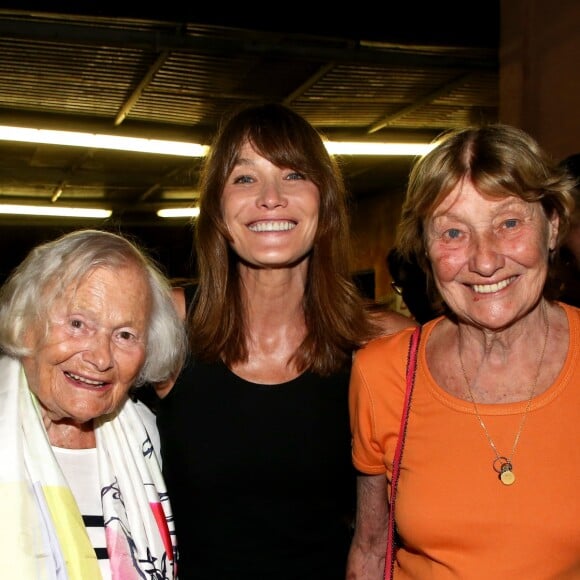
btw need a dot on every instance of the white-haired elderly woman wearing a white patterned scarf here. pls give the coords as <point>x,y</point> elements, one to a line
<point>84,319</point>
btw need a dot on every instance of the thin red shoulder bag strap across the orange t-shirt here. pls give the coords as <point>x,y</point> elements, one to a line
<point>410,375</point>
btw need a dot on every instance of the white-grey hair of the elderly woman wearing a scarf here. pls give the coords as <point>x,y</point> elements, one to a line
<point>50,268</point>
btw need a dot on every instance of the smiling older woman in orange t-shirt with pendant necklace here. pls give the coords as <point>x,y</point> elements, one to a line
<point>490,465</point>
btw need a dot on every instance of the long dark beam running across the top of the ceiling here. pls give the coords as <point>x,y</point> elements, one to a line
<point>162,37</point>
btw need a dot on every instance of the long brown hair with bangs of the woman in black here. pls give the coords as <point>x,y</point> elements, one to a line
<point>333,307</point>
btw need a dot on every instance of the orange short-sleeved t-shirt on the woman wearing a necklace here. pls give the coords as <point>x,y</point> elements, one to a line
<point>456,519</point>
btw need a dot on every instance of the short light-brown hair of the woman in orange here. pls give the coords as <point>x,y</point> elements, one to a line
<point>500,160</point>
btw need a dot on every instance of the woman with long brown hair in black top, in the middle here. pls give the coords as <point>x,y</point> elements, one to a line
<point>255,431</point>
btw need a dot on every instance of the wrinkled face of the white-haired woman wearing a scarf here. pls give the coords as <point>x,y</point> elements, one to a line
<point>95,347</point>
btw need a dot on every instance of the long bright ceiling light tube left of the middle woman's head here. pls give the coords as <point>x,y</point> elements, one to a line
<point>101,141</point>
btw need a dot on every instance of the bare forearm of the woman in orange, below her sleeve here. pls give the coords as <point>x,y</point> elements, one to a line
<point>366,560</point>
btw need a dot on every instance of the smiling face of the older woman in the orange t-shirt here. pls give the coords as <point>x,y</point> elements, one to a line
<point>489,256</point>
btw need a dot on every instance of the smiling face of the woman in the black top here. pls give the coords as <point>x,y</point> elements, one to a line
<point>271,212</point>
